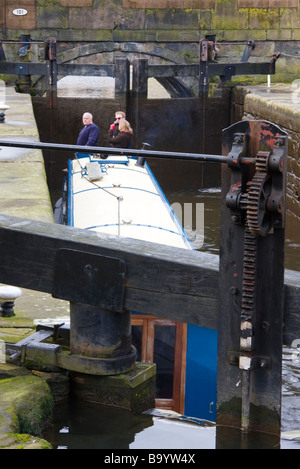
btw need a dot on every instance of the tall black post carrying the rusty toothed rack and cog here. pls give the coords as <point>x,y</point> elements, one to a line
<point>251,277</point>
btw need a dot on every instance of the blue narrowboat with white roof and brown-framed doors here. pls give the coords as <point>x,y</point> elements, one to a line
<point>120,196</point>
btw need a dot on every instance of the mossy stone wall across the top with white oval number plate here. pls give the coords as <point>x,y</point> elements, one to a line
<point>176,25</point>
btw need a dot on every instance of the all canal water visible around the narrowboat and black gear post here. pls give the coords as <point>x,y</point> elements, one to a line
<point>86,427</point>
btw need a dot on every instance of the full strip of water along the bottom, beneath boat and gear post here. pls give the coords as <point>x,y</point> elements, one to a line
<point>85,426</point>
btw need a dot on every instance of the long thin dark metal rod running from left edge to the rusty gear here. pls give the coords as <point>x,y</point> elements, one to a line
<point>115,151</point>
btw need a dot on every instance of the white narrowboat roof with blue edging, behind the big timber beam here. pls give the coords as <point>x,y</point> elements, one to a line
<point>125,201</point>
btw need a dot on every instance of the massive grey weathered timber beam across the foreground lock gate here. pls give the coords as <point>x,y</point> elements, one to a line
<point>166,282</point>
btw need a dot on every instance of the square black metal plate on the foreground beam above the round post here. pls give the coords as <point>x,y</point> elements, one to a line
<point>91,279</point>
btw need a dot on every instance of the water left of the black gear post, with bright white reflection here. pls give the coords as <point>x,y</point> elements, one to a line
<point>84,426</point>
